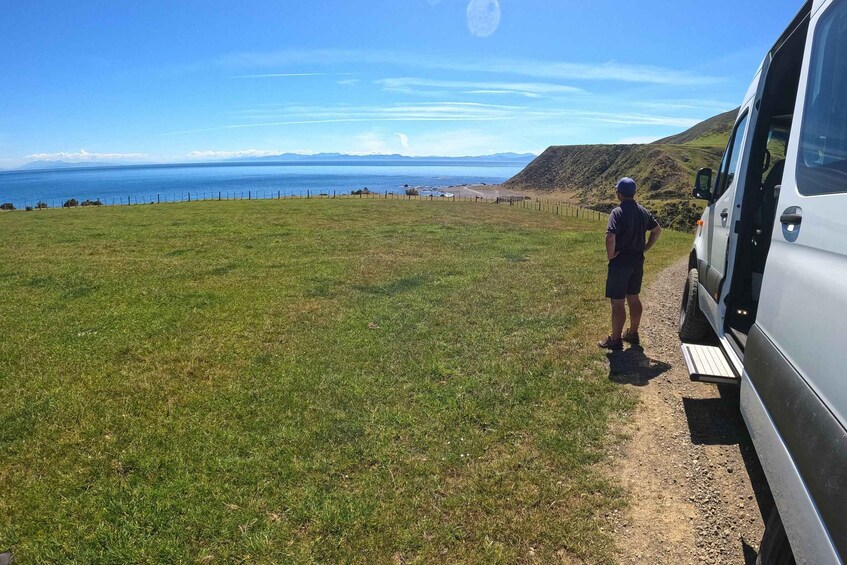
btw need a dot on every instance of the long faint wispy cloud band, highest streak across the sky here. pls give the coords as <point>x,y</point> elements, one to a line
<point>558,70</point>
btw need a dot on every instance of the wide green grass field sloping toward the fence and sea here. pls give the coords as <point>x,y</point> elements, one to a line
<point>306,380</point>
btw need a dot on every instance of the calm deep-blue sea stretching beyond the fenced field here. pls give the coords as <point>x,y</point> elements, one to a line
<point>167,183</point>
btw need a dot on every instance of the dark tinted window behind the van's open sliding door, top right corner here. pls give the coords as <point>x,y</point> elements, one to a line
<point>822,164</point>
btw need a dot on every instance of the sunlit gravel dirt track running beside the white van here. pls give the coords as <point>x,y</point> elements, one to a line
<point>696,488</point>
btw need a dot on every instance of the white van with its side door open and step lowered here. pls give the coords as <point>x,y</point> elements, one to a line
<point>768,276</point>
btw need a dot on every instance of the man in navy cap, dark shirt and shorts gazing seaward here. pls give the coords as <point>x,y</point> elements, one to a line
<point>625,249</point>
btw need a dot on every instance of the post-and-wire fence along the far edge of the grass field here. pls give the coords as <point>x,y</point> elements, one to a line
<point>557,207</point>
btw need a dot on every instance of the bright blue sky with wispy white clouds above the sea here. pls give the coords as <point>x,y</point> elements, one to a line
<point>199,80</point>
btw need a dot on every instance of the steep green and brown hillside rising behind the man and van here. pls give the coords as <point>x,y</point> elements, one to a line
<point>664,170</point>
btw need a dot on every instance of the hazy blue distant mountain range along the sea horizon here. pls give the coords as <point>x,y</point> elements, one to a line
<point>496,158</point>
